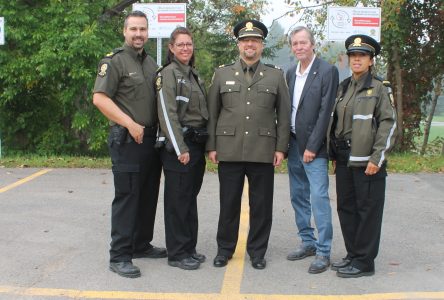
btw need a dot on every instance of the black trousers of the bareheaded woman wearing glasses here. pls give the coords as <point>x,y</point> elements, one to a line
<point>182,185</point>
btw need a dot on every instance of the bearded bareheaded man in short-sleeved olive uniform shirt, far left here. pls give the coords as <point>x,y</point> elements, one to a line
<point>124,93</point>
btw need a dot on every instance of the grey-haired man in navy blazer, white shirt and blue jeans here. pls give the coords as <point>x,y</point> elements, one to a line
<point>312,85</point>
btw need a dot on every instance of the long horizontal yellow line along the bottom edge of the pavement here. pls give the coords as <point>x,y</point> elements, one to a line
<point>67,293</point>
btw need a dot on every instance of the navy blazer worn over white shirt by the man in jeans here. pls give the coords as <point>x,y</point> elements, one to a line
<point>314,110</point>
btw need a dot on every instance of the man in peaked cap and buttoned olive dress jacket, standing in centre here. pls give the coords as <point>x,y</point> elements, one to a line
<point>249,129</point>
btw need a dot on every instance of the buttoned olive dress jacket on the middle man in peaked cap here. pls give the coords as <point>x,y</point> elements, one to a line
<point>248,122</point>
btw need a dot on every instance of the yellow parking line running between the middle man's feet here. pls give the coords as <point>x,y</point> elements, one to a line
<point>235,269</point>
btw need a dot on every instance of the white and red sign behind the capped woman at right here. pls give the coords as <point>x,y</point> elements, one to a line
<point>346,21</point>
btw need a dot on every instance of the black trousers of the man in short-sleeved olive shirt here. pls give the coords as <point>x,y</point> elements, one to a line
<point>137,170</point>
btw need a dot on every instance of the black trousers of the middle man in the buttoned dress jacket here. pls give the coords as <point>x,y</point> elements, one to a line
<point>261,183</point>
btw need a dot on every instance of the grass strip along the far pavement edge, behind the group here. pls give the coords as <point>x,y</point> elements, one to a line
<point>398,163</point>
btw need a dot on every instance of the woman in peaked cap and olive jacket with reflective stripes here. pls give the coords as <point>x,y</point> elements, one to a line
<point>362,131</point>
